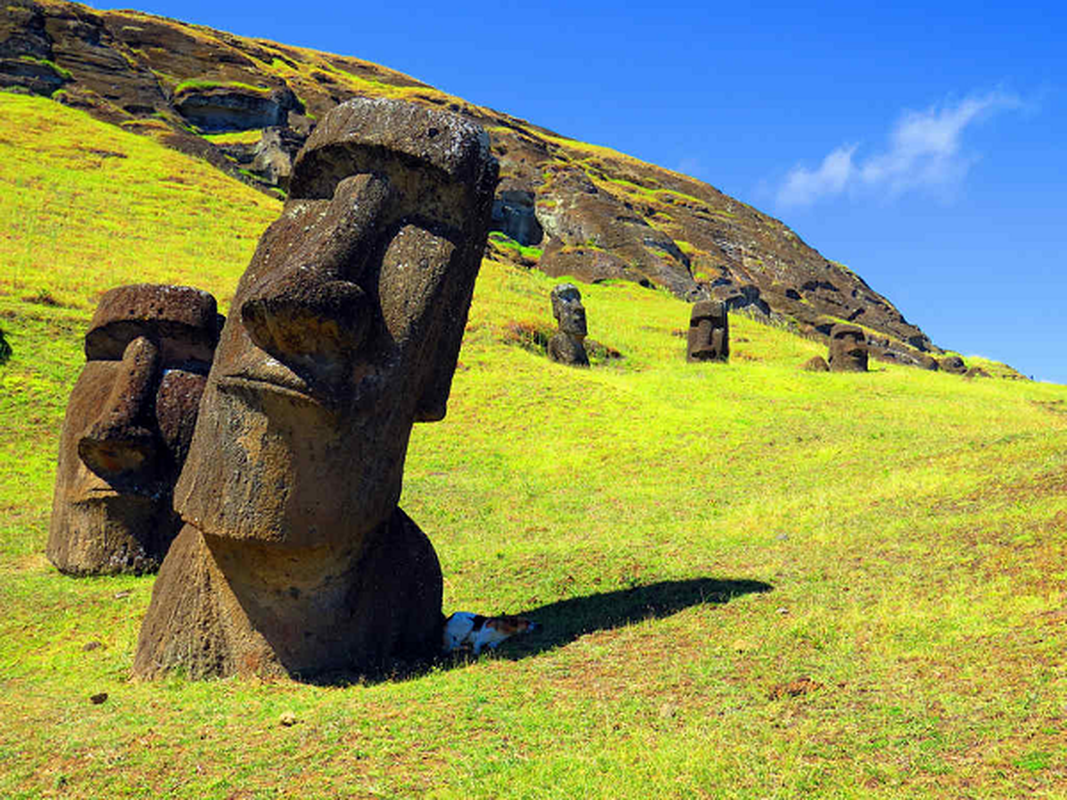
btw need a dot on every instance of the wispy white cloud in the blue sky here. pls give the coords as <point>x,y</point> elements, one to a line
<point>925,152</point>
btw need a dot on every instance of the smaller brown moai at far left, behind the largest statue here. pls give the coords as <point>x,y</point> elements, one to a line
<point>128,430</point>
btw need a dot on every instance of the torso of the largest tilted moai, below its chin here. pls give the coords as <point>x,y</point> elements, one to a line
<point>229,607</point>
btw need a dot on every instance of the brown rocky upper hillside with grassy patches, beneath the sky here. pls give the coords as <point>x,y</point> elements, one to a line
<point>570,209</point>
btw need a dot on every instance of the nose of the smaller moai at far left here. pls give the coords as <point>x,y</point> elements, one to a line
<point>120,443</point>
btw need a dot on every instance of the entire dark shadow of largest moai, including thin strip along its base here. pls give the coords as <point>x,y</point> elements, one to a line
<point>565,621</point>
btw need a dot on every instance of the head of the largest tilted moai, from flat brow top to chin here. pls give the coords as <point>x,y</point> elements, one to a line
<point>346,329</point>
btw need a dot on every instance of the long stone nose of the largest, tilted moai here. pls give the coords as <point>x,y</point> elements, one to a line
<point>313,316</point>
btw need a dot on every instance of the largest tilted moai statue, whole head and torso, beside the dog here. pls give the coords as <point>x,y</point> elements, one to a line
<point>295,558</point>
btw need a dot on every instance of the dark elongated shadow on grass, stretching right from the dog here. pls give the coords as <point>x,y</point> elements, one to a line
<point>565,621</point>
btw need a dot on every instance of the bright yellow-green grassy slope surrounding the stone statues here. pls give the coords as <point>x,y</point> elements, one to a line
<point>696,540</point>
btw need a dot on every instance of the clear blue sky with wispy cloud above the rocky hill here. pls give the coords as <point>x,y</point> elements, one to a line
<point>923,147</point>
